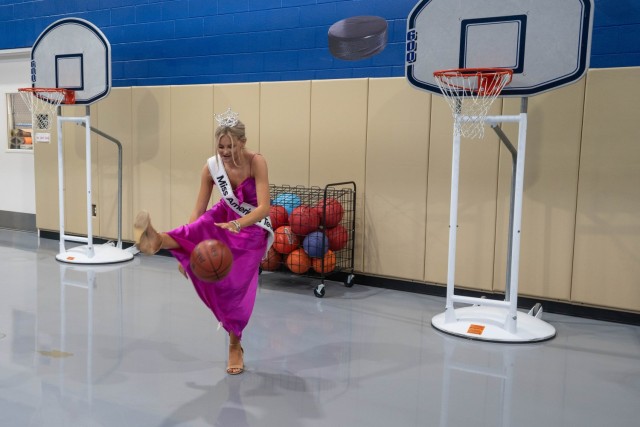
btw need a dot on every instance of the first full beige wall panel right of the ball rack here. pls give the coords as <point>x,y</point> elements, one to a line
<point>397,156</point>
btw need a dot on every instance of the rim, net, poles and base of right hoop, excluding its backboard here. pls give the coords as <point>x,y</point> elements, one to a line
<point>470,92</point>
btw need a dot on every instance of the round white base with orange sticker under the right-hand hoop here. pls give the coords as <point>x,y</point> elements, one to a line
<point>488,324</point>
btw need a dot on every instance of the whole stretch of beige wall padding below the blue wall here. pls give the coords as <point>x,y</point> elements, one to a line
<point>580,225</point>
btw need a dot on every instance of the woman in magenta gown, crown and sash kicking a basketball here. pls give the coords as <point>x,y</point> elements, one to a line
<point>231,299</point>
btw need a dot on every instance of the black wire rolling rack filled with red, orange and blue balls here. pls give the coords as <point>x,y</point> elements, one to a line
<point>314,258</point>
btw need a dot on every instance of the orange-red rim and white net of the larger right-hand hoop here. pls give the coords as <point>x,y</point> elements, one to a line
<point>470,92</point>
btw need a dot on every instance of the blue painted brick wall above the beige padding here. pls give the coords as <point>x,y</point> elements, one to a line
<point>160,42</point>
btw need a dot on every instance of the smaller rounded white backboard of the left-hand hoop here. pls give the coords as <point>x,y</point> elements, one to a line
<point>73,54</point>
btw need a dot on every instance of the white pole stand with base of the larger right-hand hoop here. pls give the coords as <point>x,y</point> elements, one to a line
<point>489,319</point>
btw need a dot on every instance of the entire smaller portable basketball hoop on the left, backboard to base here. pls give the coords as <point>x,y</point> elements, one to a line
<point>74,53</point>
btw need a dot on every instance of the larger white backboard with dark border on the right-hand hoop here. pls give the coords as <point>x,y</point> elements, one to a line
<point>546,43</point>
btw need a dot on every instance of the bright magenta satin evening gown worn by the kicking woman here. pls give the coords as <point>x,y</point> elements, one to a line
<point>231,299</point>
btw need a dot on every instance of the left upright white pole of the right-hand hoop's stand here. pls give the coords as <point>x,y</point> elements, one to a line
<point>453,225</point>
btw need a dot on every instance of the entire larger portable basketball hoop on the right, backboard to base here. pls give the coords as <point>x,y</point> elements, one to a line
<point>481,58</point>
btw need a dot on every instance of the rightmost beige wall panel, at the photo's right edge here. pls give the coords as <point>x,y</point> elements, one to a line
<point>606,263</point>
